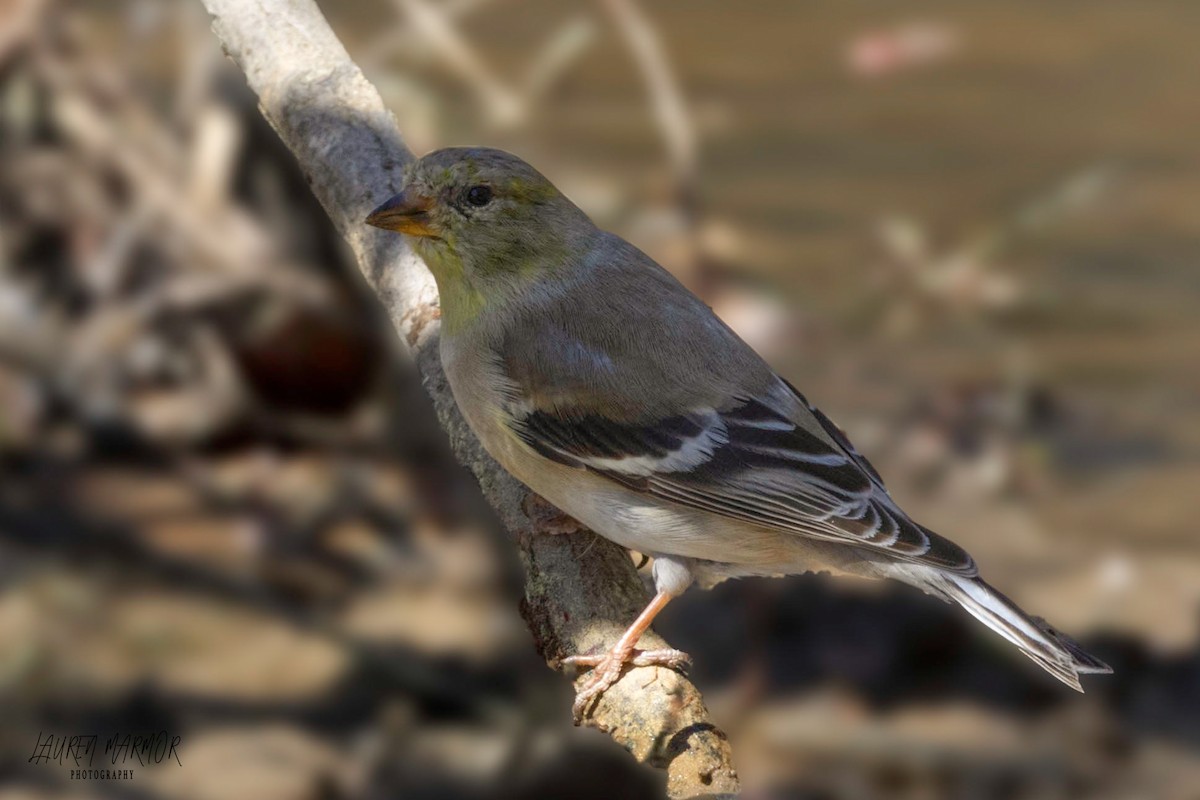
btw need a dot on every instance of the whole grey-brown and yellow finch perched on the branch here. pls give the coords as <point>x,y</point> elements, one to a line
<point>613,392</point>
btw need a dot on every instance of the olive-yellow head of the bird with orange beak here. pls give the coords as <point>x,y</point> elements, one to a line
<point>484,221</point>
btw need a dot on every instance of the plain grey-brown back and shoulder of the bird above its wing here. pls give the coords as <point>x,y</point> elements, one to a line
<point>617,335</point>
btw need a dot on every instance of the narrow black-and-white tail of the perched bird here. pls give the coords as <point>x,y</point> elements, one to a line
<point>1053,651</point>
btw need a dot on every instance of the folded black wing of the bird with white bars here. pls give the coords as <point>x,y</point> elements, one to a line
<point>752,464</point>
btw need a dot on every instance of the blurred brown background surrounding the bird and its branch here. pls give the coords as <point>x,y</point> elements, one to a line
<point>970,232</point>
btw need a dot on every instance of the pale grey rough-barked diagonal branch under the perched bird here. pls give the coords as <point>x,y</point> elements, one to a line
<point>580,591</point>
